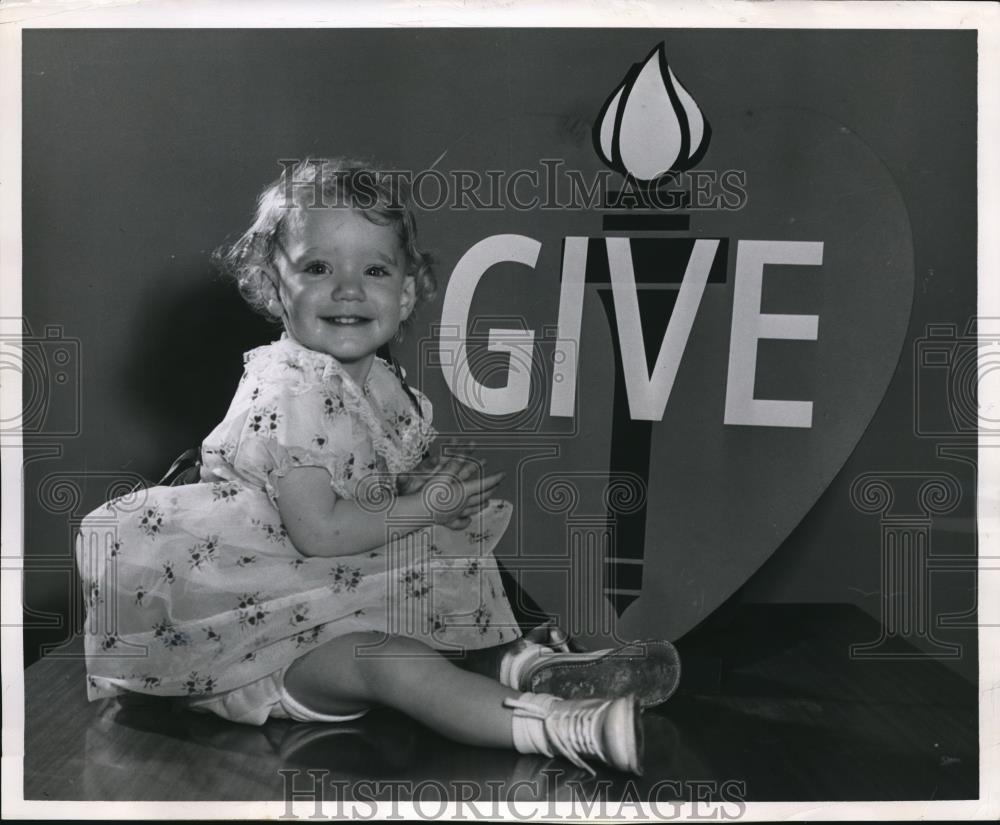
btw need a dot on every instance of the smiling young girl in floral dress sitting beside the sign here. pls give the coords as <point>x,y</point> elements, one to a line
<point>308,576</point>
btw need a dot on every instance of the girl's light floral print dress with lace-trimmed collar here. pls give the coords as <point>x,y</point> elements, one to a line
<point>196,589</point>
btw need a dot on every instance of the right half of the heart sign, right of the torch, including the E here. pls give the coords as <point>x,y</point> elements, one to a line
<point>725,491</point>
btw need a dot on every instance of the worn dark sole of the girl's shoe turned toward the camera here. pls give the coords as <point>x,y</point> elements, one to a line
<point>650,671</point>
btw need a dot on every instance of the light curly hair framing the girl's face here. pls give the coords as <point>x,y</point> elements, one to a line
<point>322,183</point>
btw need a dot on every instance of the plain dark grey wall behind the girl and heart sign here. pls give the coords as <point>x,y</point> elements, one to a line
<point>143,150</point>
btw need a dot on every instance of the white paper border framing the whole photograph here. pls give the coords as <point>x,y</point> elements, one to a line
<point>983,17</point>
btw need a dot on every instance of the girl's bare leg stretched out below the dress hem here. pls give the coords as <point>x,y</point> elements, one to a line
<point>362,669</point>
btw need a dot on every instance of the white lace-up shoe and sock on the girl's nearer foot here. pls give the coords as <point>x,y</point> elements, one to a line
<point>609,731</point>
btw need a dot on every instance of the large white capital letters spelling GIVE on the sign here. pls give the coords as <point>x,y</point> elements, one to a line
<point>648,391</point>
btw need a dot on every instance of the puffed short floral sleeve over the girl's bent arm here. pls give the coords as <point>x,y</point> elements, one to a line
<point>291,425</point>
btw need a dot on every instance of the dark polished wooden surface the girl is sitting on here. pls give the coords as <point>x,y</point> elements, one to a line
<point>770,699</point>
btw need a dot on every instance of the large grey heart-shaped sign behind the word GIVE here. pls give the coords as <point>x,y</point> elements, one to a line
<point>726,360</point>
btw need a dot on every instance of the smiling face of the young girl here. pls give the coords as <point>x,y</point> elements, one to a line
<point>342,285</point>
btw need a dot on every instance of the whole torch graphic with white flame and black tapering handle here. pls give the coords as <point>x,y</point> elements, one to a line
<point>650,130</point>
